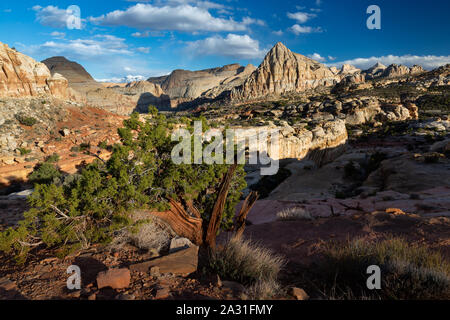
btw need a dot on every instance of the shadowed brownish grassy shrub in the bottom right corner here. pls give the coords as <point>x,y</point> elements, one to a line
<point>407,271</point>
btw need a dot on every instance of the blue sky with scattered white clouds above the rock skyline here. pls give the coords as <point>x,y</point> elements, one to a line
<point>120,38</point>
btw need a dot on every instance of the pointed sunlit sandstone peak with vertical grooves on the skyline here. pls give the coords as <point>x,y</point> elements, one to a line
<point>284,71</point>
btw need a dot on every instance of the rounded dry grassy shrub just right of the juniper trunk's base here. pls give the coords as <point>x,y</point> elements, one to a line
<point>245,262</point>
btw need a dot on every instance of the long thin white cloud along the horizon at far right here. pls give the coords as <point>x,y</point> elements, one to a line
<point>428,62</point>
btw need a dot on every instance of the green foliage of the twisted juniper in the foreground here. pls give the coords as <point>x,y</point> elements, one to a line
<point>89,207</point>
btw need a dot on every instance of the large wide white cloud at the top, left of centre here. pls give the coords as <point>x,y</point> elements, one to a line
<point>182,17</point>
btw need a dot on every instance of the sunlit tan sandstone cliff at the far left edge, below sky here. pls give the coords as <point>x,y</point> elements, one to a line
<point>22,76</point>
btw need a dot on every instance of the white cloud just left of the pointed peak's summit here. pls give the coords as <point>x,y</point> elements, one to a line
<point>236,46</point>
